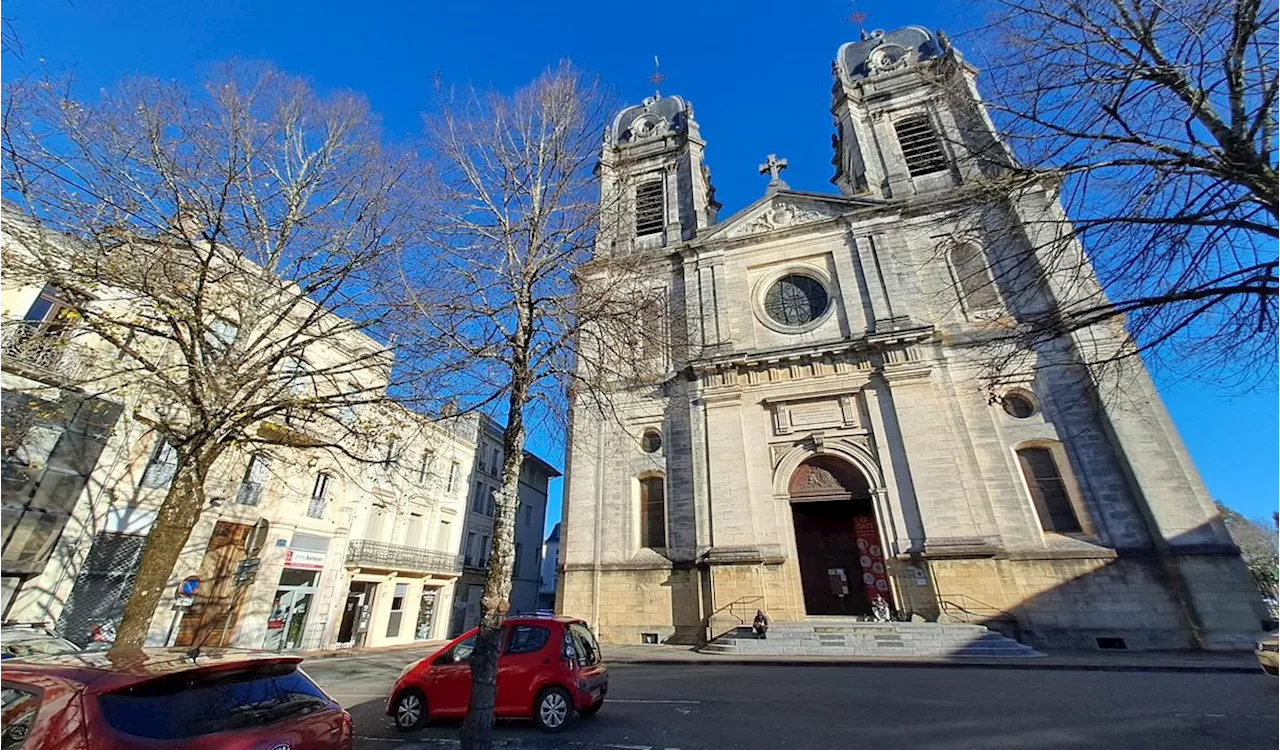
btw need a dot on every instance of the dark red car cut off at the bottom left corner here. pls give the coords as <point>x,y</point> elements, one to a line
<point>161,698</point>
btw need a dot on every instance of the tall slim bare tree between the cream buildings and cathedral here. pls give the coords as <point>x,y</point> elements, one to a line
<point>511,307</point>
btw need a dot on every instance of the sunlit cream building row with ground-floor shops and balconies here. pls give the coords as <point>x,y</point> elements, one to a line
<point>358,552</point>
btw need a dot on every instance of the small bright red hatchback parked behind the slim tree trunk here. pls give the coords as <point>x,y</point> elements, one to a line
<point>548,669</point>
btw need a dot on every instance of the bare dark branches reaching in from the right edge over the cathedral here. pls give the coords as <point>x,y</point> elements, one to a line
<point>1155,125</point>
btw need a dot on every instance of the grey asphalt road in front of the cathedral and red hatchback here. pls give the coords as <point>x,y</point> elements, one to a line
<point>935,708</point>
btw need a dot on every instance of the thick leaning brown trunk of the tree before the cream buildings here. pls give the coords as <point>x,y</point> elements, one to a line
<point>177,518</point>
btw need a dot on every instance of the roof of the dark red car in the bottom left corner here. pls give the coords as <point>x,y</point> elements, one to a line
<point>107,671</point>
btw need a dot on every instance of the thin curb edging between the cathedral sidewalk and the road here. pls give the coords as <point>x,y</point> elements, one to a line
<point>1025,664</point>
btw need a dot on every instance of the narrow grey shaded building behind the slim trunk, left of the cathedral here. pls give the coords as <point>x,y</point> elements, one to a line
<point>478,538</point>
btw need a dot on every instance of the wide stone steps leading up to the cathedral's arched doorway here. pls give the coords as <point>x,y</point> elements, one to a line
<point>848,637</point>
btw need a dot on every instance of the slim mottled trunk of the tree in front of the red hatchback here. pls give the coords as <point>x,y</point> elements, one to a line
<point>478,728</point>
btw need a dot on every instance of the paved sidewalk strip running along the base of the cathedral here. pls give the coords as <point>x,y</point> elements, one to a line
<point>1236,662</point>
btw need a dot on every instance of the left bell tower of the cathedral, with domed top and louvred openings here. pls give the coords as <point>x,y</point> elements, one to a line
<point>655,187</point>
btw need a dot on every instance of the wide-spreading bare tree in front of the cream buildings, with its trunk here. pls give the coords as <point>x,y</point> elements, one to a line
<point>218,250</point>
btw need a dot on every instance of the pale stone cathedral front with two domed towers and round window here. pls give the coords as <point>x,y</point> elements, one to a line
<point>822,441</point>
